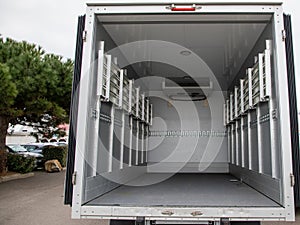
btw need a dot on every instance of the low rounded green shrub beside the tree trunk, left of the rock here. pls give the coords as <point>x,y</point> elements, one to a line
<point>20,164</point>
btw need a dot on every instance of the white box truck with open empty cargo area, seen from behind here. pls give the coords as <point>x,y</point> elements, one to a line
<point>184,113</point>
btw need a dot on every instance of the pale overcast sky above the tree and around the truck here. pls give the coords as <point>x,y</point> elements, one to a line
<point>52,24</point>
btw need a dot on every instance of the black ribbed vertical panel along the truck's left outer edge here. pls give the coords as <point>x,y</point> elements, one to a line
<point>73,111</point>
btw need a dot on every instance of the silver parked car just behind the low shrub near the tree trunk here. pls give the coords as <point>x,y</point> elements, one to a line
<point>18,149</point>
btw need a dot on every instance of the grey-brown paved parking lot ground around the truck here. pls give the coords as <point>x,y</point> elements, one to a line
<point>38,200</point>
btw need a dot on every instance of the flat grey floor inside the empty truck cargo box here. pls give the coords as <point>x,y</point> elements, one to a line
<point>205,190</point>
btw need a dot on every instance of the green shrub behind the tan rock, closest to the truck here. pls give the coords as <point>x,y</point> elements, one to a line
<point>56,152</point>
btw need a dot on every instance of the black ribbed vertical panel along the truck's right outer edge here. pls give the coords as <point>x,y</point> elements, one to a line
<point>293,106</point>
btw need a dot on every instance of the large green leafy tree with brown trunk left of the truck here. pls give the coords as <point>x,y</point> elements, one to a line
<point>32,84</point>
